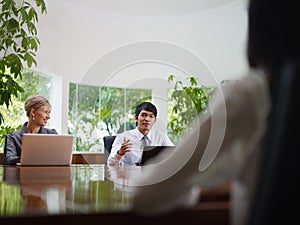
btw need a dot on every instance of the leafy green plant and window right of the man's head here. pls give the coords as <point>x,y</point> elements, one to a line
<point>186,101</point>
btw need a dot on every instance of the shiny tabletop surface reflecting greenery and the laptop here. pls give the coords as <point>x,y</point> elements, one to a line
<point>59,190</point>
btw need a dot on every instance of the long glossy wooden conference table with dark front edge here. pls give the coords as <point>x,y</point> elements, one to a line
<point>85,193</point>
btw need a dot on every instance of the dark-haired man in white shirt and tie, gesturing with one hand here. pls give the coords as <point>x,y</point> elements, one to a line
<point>128,146</point>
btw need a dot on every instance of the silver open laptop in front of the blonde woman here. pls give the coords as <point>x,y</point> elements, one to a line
<point>46,150</point>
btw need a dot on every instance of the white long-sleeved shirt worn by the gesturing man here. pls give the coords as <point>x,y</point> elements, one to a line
<point>155,138</point>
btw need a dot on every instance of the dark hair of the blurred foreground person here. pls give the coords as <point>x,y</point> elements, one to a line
<point>273,34</point>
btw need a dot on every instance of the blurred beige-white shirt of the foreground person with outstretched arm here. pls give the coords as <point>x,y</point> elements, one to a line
<point>237,120</point>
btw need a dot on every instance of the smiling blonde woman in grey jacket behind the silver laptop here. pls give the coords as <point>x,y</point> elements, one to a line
<point>38,110</point>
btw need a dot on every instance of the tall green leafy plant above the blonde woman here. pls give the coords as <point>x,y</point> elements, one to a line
<point>18,45</point>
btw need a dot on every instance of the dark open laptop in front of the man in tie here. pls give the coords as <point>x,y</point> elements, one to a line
<point>154,154</point>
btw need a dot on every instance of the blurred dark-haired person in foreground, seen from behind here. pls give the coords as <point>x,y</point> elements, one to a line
<point>235,125</point>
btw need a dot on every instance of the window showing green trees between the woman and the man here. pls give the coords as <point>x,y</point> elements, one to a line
<point>95,112</point>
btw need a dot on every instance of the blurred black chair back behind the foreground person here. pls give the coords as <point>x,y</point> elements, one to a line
<point>277,190</point>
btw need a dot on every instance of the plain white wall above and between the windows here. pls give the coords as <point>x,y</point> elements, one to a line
<point>97,45</point>
